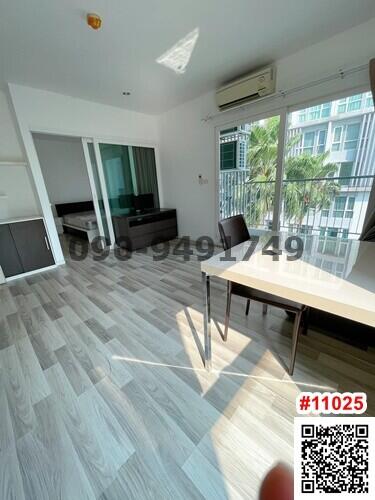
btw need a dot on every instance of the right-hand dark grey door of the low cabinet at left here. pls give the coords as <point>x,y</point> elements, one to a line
<point>32,244</point>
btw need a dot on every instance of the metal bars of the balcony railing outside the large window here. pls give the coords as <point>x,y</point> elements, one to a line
<point>238,194</point>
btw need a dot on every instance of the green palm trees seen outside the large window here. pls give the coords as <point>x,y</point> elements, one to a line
<point>301,192</point>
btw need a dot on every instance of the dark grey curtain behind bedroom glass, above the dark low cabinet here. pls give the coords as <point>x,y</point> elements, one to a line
<point>145,171</point>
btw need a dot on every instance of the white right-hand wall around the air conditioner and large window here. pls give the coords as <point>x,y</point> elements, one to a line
<point>188,146</point>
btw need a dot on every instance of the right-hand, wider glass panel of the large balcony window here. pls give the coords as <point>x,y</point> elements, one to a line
<point>329,169</point>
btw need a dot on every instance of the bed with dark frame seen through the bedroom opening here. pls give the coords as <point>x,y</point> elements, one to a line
<point>79,218</point>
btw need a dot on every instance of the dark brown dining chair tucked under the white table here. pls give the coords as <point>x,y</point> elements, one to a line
<point>233,231</point>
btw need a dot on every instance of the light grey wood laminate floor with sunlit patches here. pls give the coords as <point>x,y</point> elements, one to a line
<point>103,394</point>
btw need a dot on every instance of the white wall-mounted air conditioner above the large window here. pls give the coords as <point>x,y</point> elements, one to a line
<point>248,88</point>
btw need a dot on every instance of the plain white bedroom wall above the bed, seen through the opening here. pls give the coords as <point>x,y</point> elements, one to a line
<point>64,168</point>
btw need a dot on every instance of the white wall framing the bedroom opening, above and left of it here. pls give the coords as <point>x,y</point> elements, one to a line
<point>42,111</point>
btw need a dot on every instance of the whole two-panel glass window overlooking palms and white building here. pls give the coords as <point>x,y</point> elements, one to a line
<point>325,180</point>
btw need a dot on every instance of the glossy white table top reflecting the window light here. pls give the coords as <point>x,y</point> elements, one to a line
<point>333,275</point>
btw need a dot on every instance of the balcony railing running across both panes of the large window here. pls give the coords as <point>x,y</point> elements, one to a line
<point>310,206</point>
